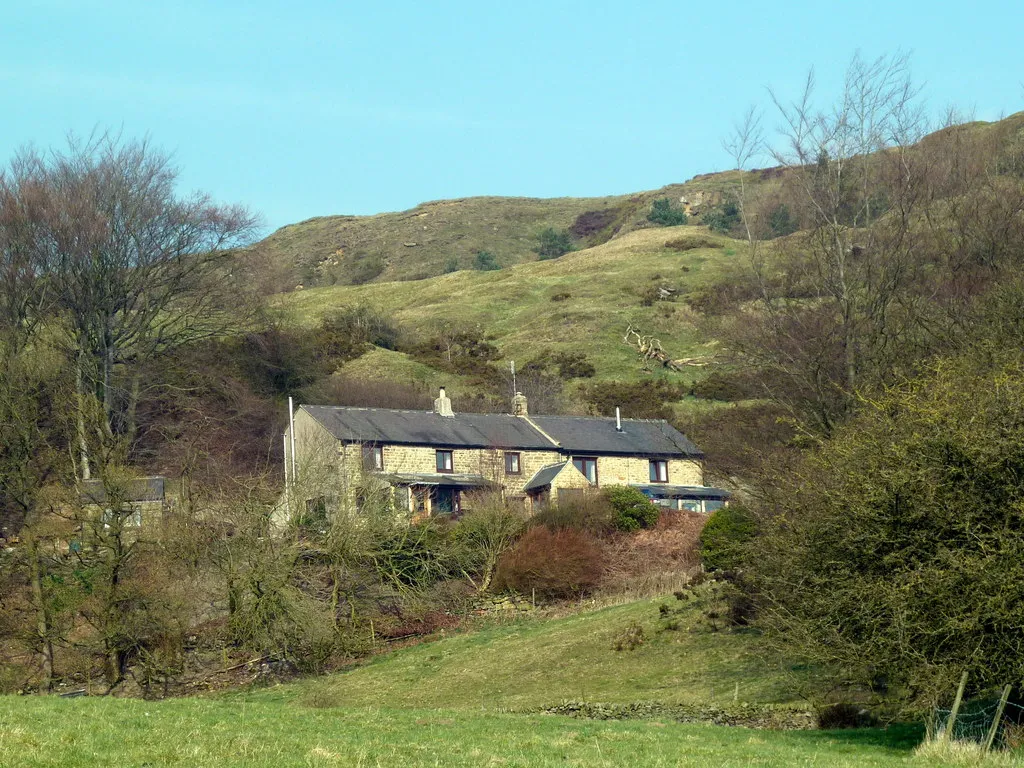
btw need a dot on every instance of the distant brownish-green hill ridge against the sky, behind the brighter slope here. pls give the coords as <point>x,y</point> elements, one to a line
<point>442,236</point>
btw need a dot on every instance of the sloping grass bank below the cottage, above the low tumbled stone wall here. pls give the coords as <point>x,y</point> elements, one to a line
<point>537,664</point>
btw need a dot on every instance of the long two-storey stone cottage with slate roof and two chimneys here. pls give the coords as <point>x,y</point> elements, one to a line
<point>433,459</point>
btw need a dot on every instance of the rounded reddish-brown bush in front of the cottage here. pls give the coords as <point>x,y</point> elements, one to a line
<point>552,564</point>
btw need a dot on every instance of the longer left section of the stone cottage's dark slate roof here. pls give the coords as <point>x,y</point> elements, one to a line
<point>429,429</point>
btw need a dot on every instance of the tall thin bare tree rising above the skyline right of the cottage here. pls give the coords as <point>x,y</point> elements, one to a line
<point>838,301</point>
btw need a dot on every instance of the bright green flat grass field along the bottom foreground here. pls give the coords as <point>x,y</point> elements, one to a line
<point>76,734</point>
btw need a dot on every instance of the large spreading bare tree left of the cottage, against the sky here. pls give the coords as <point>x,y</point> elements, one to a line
<point>127,268</point>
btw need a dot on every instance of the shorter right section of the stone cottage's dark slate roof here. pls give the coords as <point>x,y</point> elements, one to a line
<point>639,437</point>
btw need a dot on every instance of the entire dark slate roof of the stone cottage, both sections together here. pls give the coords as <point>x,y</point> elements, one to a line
<point>568,435</point>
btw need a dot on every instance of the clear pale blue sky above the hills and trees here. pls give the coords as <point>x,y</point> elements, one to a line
<point>307,109</point>
